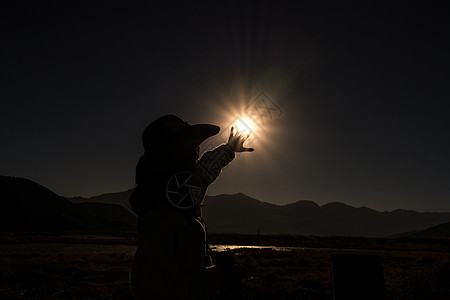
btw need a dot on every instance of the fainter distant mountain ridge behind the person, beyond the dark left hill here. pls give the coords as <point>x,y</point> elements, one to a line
<point>239,213</point>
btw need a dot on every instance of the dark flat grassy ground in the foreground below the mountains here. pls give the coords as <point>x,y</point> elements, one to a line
<point>68,266</point>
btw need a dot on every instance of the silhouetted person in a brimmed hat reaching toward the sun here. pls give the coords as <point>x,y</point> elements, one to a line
<point>172,261</point>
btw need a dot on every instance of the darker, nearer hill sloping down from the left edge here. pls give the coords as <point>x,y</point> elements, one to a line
<point>28,206</point>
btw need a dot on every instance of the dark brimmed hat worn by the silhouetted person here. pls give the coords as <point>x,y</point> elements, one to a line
<point>170,135</point>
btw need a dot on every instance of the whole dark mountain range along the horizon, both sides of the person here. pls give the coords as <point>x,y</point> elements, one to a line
<point>27,206</point>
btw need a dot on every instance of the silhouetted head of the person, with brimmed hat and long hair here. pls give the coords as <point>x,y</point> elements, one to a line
<point>170,145</point>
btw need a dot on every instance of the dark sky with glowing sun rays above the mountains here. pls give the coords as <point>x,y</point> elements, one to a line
<point>363,90</point>
